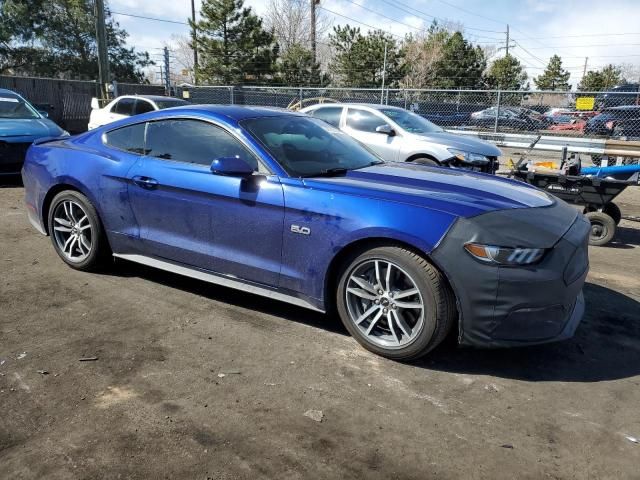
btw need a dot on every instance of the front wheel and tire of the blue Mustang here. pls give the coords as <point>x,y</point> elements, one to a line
<point>395,303</point>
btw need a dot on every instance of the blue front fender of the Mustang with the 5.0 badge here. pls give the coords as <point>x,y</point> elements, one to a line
<point>319,224</point>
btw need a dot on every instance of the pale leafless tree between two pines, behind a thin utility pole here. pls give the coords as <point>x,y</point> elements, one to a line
<point>290,21</point>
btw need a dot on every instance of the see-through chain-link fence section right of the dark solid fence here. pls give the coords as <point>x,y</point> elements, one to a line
<point>592,114</point>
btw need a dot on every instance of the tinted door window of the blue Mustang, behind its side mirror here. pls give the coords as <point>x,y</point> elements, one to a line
<point>193,141</point>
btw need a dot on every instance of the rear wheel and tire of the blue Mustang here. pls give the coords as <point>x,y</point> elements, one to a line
<point>76,231</point>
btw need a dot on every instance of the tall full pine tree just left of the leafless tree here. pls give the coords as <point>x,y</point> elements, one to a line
<point>232,44</point>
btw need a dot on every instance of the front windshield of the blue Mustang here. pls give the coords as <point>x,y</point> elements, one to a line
<point>306,147</point>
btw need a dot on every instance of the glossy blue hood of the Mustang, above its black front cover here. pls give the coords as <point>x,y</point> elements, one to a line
<point>458,192</point>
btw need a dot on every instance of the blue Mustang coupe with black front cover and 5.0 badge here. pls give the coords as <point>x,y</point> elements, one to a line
<point>283,205</point>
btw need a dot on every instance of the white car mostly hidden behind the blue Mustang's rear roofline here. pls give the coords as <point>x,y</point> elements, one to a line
<point>128,105</point>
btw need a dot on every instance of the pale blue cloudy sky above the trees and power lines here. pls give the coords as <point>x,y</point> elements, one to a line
<point>573,29</point>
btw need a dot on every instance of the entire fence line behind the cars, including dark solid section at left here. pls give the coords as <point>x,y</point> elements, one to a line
<point>610,115</point>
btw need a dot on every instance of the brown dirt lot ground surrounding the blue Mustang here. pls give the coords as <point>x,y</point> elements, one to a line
<point>197,381</point>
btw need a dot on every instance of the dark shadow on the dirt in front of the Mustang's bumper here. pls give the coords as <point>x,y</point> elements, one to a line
<point>605,347</point>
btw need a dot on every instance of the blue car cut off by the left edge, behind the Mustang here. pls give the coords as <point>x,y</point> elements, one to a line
<point>20,125</point>
